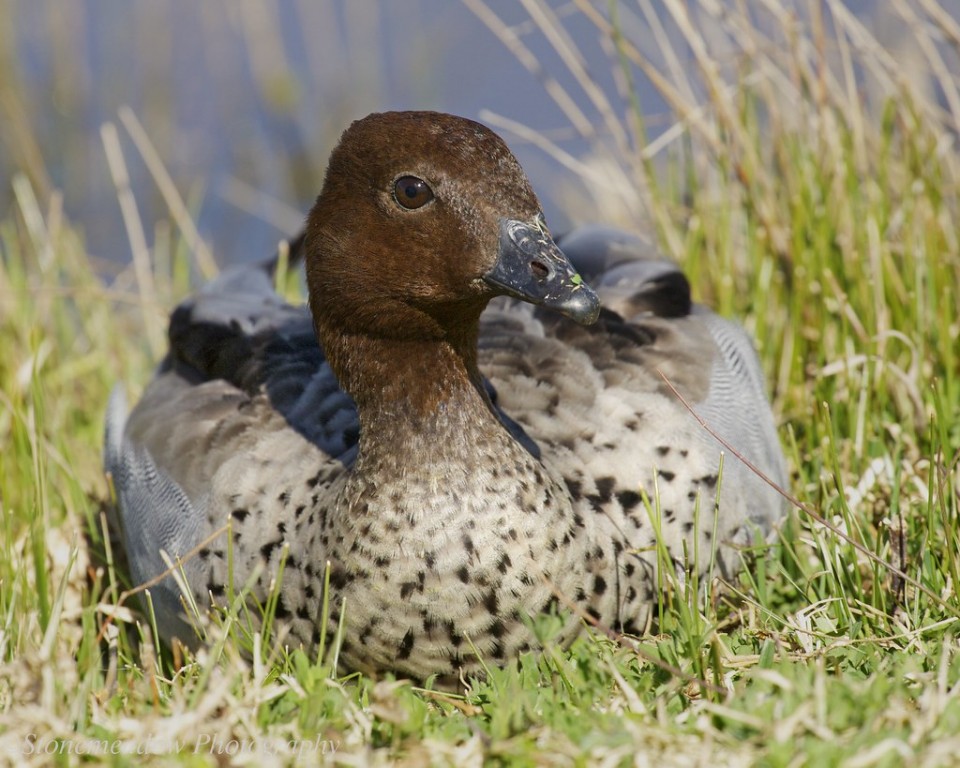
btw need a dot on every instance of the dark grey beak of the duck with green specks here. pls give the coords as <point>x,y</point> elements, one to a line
<point>532,268</point>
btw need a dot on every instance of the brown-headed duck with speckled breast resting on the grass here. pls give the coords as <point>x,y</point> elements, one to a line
<point>470,423</point>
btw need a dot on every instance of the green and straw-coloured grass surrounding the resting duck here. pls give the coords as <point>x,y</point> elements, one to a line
<point>810,188</point>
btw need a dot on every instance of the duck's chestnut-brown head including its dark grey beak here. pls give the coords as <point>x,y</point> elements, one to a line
<point>423,218</point>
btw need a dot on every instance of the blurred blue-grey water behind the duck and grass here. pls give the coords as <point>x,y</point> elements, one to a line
<point>244,98</point>
